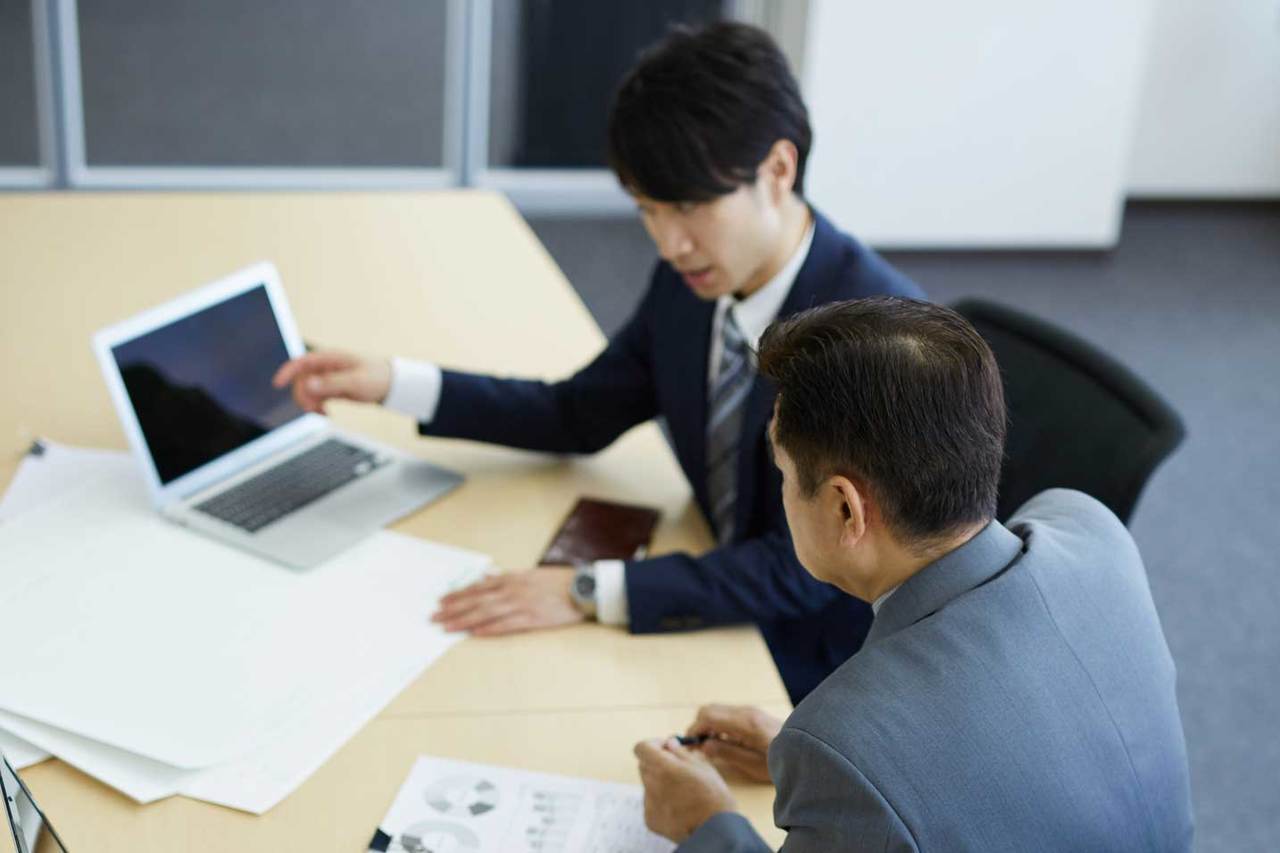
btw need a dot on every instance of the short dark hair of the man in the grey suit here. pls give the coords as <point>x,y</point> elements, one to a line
<point>903,396</point>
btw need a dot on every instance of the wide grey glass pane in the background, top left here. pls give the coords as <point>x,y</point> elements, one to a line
<point>252,84</point>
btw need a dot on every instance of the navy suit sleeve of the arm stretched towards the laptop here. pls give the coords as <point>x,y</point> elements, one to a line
<point>578,416</point>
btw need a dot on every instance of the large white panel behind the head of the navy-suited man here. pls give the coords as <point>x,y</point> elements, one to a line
<point>990,124</point>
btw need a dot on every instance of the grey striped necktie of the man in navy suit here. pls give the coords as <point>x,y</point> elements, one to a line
<point>725,426</point>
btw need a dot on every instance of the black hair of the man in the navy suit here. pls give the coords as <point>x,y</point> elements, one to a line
<point>700,112</point>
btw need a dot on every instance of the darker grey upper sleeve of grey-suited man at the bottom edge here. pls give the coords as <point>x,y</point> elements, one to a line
<point>826,804</point>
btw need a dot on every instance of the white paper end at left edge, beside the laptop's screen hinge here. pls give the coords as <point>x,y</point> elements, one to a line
<point>60,469</point>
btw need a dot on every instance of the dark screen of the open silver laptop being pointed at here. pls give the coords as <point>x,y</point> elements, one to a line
<point>202,386</point>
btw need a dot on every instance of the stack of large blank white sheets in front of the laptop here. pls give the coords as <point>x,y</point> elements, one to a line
<point>163,663</point>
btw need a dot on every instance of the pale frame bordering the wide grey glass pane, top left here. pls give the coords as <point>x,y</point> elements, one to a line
<point>83,175</point>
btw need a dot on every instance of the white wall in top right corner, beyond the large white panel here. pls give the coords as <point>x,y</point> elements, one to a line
<point>1209,125</point>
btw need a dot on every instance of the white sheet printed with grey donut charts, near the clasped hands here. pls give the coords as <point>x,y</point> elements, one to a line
<point>479,809</point>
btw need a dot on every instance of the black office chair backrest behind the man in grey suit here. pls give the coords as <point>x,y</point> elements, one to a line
<point>1077,417</point>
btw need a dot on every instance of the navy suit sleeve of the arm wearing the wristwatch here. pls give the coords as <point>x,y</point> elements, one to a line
<point>755,581</point>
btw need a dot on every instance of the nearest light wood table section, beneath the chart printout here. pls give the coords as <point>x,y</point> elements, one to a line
<point>342,804</point>
